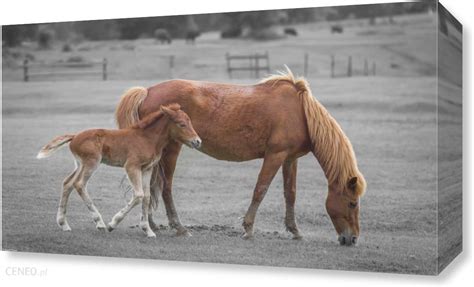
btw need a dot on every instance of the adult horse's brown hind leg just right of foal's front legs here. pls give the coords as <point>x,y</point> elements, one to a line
<point>168,161</point>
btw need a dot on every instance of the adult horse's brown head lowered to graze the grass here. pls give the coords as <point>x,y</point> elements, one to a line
<point>342,205</point>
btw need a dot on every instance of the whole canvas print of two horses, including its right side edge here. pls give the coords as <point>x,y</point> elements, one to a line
<point>326,137</point>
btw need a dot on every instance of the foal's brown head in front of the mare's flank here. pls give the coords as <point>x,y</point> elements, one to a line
<point>180,128</point>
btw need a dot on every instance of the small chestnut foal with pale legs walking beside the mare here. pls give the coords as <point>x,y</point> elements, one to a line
<point>137,149</point>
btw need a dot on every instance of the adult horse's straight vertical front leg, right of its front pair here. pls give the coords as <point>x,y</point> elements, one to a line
<point>289,185</point>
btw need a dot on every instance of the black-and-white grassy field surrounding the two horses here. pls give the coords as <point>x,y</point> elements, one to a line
<point>390,119</point>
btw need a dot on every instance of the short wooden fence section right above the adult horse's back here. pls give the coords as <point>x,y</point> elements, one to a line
<point>252,62</point>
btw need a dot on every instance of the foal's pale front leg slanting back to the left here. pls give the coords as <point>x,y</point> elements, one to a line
<point>135,177</point>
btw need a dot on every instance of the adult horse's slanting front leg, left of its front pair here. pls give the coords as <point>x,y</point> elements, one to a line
<point>271,164</point>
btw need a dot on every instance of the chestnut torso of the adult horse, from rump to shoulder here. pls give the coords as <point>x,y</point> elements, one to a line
<point>236,122</point>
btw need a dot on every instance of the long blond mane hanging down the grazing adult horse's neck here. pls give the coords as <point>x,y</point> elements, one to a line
<point>331,146</point>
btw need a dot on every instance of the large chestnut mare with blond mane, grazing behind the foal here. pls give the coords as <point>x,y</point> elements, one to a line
<point>278,120</point>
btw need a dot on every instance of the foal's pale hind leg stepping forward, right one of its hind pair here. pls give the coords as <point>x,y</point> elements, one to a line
<point>80,183</point>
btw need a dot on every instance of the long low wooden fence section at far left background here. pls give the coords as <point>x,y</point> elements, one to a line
<point>64,69</point>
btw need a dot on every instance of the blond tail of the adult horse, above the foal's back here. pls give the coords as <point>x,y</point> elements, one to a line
<point>127,111</point>
